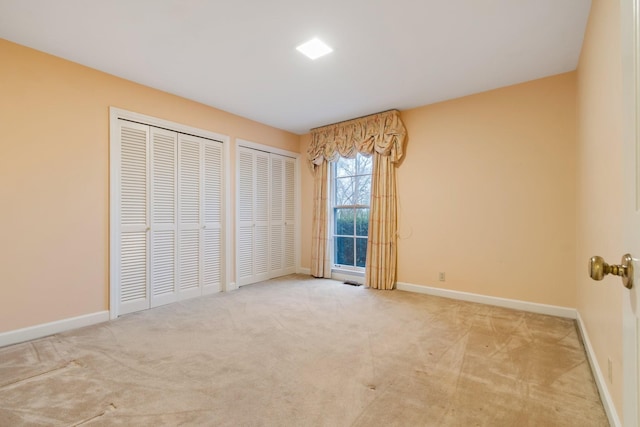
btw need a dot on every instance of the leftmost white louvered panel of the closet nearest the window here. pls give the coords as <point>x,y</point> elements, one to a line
<point>245,216</point>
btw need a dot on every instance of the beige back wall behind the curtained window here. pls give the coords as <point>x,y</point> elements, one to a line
<point>486,193</point>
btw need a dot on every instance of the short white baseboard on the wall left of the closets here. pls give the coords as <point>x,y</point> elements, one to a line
<point>46,329</point>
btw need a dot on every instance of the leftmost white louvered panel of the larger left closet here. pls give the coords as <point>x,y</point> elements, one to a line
<point>133,235</point>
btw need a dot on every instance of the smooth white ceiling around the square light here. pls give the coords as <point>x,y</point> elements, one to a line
<point>239,55</point>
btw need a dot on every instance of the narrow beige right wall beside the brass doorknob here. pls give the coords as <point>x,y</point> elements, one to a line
<point>600,184</point>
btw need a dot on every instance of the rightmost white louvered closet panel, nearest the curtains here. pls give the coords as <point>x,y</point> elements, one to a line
<point>290,218</point>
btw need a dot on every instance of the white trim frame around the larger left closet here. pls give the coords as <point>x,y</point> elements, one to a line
<point>115,114</point>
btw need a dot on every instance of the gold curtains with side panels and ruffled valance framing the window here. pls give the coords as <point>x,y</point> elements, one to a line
<point>381,135</point>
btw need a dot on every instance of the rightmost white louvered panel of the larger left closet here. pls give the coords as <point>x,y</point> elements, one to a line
<point>212,238</point>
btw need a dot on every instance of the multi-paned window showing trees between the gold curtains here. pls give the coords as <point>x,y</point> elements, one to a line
<point>351,189</point>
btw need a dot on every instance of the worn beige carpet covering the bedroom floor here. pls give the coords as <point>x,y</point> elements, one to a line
<point>298,351</point>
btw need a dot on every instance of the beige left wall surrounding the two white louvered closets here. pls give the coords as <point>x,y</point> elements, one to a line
<point>54,170</point>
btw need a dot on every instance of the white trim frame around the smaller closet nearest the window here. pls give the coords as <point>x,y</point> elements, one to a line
<point>281,152</point>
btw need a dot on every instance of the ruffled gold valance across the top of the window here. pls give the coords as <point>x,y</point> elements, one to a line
<point>382,133</point>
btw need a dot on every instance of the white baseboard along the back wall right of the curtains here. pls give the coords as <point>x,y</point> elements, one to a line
<point>533,307</point>
